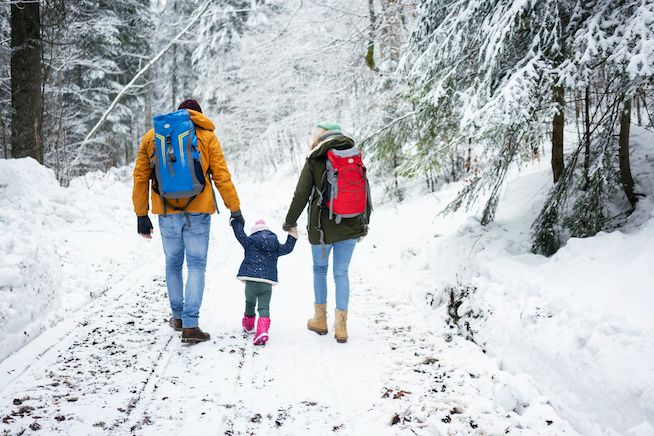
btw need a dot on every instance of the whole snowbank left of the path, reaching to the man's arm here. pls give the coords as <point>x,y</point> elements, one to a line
<point>61,247</point>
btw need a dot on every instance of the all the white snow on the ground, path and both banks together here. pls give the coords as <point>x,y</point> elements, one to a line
<point>454,327</point>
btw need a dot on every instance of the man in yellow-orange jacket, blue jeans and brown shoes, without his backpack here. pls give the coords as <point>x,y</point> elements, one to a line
<point>185,232</point>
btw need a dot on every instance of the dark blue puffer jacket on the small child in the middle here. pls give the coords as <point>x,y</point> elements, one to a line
<point>261,252</point>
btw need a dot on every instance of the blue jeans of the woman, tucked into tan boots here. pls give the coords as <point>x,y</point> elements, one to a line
<point>342,255</point>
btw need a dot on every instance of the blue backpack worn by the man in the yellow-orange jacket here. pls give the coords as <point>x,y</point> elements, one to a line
<point>176,160</point>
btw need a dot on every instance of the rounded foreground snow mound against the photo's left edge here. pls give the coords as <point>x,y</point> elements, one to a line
<point>29,266</point>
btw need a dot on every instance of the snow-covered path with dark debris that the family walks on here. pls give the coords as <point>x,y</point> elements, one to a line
<point>115,367</point>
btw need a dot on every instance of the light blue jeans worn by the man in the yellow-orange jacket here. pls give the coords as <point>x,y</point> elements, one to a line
<point>178,239</point>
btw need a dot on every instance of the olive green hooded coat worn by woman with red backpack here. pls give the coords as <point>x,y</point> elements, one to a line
<point>312,176</point>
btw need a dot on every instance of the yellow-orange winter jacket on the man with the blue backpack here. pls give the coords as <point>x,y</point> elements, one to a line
<point>211,157</point>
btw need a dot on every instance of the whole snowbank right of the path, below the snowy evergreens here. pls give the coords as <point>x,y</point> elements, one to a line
<point>578,325</point>
